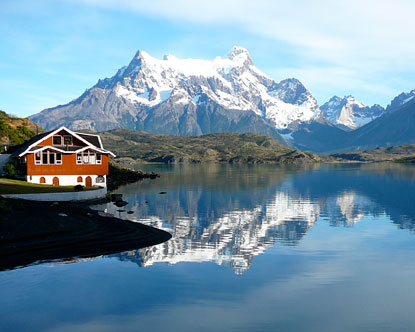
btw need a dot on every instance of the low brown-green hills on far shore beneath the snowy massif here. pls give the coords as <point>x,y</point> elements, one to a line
<point>221,147</point>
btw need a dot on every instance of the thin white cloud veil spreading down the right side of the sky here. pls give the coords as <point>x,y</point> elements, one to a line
<point>350,45</point>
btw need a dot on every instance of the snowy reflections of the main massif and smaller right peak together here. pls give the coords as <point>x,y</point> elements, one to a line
<point>236,237</point>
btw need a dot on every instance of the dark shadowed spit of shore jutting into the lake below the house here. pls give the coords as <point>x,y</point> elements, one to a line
<point>36,232</point>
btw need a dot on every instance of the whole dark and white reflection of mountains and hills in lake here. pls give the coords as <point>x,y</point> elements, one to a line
<point>230,214</point>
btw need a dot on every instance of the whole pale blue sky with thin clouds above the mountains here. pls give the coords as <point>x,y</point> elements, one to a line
<point>51,51</point>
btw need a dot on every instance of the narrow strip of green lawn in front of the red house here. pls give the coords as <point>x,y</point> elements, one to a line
<point>9,186</point>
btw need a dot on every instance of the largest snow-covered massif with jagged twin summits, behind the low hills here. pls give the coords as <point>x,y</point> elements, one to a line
<point>180,91</point>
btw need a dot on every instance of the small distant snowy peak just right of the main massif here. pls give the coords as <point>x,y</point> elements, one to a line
<point>349,113</point>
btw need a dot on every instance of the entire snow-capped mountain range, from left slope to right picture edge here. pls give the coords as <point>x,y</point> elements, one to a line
<point>229,94</point>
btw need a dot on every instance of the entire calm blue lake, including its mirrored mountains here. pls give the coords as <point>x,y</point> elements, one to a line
<point>254,248</point>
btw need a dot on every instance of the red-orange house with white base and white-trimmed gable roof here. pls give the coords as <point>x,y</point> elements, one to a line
<point>63,157</point>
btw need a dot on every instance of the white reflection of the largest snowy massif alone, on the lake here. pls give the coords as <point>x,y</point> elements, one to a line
<point>236,237</point>
